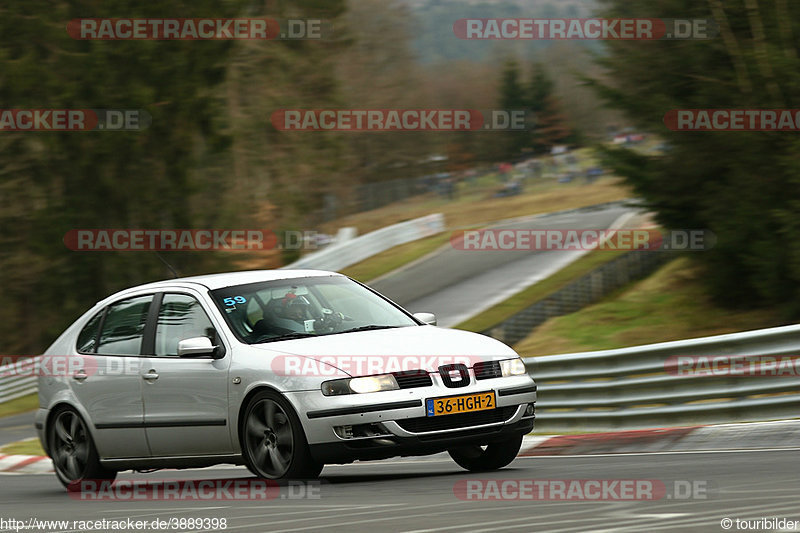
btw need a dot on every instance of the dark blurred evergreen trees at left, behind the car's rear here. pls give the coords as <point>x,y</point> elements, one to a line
<point>54,182</point>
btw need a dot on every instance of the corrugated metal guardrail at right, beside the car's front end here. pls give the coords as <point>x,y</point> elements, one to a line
<point>634,387</point>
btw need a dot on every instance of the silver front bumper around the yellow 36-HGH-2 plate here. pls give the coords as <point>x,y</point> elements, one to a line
<point>398,423</point>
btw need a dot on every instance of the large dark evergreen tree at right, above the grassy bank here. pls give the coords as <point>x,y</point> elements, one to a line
<point>742,186</point>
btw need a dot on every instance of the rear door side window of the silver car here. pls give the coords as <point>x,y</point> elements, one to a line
<point>123,327</point>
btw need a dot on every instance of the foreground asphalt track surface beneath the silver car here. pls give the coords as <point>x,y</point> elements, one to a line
<point>418,495</point>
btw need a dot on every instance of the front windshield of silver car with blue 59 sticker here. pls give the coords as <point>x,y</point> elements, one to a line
<point>304,307</point>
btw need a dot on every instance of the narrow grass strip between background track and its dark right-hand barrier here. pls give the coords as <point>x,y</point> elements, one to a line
<point>529,296</point>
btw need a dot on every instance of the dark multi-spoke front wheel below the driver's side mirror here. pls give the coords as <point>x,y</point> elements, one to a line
<point>274,444</point>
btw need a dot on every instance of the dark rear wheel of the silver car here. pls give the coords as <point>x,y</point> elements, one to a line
<point>72,449</point>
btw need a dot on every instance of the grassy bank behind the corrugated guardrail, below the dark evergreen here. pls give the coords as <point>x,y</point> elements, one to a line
<point>670,304</point>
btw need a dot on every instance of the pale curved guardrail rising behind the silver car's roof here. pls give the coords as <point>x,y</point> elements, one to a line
<point>343,254</point>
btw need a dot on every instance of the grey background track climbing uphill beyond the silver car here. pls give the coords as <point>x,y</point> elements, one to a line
<point>456,284</point>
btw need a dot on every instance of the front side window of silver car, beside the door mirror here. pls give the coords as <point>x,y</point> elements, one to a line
<point>180,317</point>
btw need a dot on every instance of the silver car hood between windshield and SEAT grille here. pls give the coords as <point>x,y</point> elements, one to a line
<point>381,351</point>
